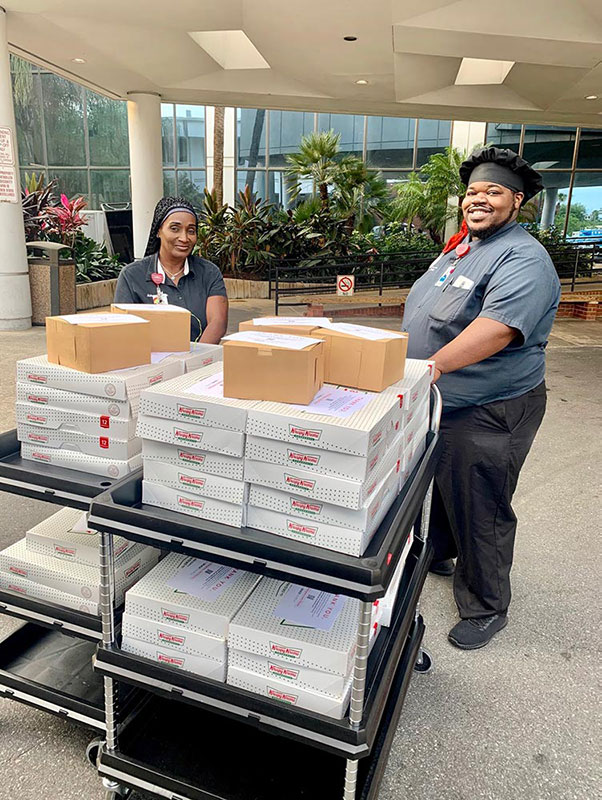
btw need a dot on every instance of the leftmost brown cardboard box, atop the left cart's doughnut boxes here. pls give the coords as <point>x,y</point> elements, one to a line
<point>97,342</point>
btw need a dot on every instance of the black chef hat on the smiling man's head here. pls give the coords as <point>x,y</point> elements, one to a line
<point>504,167</point>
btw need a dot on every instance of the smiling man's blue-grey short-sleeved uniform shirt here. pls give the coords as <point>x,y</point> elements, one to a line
<point>509,278</point>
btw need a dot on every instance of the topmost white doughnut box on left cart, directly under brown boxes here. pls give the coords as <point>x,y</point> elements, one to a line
<point>124,385</point>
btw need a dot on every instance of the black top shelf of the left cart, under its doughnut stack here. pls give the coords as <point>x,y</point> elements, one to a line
<point>65,487</point>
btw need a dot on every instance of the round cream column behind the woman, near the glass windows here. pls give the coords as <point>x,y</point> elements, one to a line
<point>146,162</point>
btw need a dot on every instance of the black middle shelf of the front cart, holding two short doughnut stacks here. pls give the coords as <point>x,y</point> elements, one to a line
<point>337,736</point>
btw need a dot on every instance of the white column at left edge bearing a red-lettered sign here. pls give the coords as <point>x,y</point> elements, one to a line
<point>15,297</point>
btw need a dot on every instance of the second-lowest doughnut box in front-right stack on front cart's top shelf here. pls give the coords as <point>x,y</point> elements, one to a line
<point>365,520</point>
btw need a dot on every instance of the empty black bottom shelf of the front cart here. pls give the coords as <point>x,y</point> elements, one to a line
<point>203,756</point>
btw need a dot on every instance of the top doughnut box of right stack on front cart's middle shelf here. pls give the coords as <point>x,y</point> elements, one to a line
<point>256,629</point>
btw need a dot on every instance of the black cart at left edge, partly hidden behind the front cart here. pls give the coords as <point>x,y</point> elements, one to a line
<point>47,661</point>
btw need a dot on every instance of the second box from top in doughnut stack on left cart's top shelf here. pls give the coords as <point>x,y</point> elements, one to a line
<point>46,397</point>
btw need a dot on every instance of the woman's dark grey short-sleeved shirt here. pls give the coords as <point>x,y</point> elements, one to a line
<point>202,281</point>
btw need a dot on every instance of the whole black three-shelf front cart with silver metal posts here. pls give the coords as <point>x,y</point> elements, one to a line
<point>224,743</point>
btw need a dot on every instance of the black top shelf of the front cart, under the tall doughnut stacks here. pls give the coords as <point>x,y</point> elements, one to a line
<point>121,511</point>
